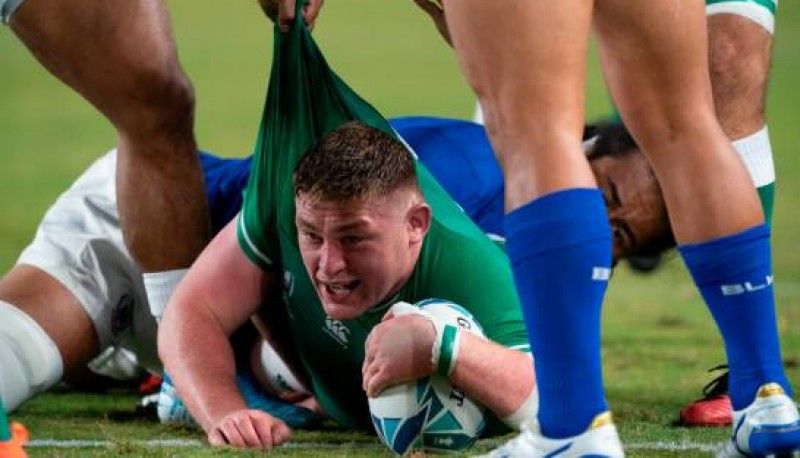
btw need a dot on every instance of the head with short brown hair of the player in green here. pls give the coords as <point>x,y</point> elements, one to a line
<point>361,220</point>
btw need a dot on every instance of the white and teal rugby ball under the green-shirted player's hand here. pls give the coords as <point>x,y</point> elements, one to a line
<point>430,413</point>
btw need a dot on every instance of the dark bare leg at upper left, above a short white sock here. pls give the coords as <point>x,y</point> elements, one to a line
<point>120,55</point>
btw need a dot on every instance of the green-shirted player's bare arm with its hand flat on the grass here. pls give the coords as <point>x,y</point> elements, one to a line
<point>221,291</point>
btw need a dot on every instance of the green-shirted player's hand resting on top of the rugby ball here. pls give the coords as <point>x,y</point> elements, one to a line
<point>398,350</point>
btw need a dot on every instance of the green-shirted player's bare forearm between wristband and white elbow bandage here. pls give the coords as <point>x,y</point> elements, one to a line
<point>500,378</point>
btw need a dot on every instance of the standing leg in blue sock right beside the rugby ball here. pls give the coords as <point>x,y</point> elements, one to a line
<point>526,61</point>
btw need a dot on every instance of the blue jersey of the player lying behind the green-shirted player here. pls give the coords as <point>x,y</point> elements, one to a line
<point>456,152</point>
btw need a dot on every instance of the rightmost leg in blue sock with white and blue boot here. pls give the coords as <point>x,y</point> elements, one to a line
<point>656,61</point>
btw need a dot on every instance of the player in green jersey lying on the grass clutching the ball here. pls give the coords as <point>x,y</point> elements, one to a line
<point>368,231</point>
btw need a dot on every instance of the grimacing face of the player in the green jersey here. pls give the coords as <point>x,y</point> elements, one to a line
<point>357,254</point>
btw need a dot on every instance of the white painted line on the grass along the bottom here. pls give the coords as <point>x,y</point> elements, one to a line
<point>189,443</point>
